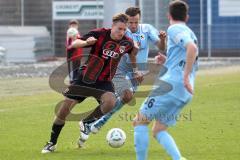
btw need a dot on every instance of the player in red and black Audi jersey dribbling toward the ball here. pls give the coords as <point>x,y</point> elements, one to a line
<point>107,48</point>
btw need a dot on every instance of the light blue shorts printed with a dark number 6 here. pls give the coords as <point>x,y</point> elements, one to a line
<point>165,109</point>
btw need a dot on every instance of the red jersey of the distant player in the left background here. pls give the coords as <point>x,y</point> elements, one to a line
<point>72,53</point>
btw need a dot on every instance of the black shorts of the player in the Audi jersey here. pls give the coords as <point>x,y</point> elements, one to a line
<point>80,90</point>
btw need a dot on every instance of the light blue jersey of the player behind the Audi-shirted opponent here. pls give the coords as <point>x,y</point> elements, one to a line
<point>146,33</point>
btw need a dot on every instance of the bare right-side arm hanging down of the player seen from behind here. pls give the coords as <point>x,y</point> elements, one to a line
<point>190,59</point>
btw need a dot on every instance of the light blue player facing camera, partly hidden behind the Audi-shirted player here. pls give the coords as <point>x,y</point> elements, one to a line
<point>128,78</point>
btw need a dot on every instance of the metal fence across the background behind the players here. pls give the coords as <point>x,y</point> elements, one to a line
<point>215,22</point>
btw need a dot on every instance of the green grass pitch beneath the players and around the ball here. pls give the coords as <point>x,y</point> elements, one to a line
<point>209,129</point>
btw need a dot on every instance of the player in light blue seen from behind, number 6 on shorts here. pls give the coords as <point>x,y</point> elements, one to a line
<point>181,62</point>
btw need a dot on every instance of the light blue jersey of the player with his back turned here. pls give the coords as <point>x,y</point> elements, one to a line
<point>179,35</point>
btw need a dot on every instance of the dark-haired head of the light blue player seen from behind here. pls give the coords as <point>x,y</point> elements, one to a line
<point>178,9</point>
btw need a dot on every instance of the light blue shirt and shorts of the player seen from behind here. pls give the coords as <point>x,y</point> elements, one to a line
<point>166,107</point>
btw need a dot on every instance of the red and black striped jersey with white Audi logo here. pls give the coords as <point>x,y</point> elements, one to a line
<point>104,55</point>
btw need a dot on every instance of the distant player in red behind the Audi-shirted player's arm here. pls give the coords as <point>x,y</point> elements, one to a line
<point>73,55</point>
